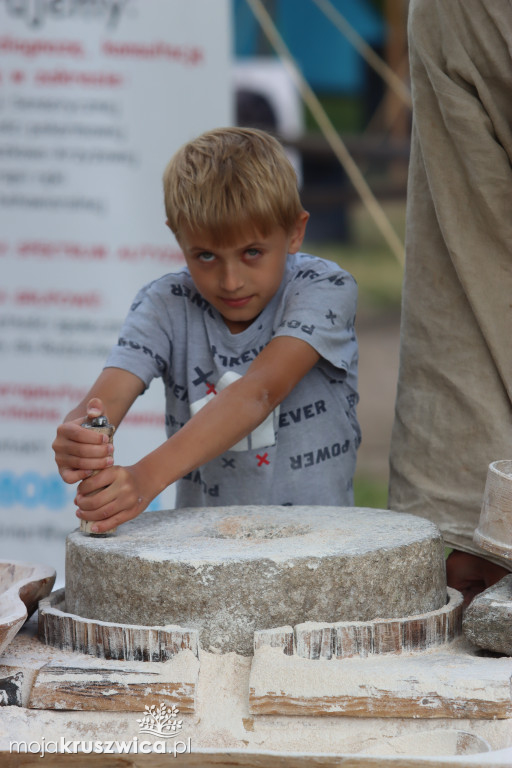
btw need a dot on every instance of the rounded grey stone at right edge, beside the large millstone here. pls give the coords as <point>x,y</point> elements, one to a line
<point>488,620</point>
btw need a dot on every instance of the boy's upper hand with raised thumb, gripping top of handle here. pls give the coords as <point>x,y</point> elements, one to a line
<point>80,451</point>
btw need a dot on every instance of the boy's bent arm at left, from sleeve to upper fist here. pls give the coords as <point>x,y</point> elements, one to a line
<point>79,451</point>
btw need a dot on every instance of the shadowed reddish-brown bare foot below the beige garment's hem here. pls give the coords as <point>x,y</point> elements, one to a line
<point>471,574</point>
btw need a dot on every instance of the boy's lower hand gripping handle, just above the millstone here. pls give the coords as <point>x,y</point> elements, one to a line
<point>111,497</point>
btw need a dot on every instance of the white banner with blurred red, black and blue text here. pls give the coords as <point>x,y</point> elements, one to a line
<point>95,96</point>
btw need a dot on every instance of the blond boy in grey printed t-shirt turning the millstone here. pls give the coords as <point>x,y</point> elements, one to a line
<point>254,341</point>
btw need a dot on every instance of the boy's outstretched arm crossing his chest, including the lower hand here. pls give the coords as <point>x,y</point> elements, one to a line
<point>230,416</point>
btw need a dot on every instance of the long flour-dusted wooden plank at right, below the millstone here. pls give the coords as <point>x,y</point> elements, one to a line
<point>451,684</point>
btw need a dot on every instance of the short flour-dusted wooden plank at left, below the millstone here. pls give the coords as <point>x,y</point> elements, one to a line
<point>93,684</point>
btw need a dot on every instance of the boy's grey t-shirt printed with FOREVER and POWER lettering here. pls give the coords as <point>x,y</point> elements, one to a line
<point>305,451</point>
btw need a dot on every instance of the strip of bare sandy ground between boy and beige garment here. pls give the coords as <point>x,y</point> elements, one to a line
<point>378,371</point>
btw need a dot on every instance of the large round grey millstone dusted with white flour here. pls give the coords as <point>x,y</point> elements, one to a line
<point>229,571</point>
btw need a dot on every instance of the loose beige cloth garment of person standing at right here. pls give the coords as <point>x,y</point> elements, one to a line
<point>453,409</point>
